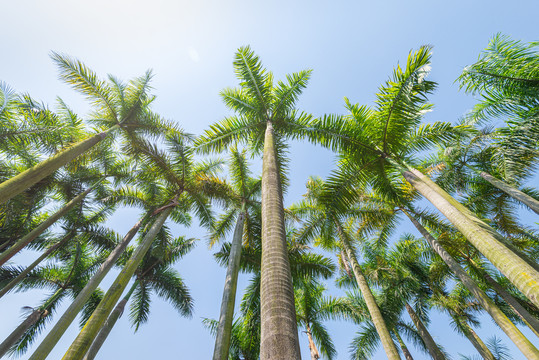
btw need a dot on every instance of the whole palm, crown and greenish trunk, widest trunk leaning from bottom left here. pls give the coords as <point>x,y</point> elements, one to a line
<point>182,181</point>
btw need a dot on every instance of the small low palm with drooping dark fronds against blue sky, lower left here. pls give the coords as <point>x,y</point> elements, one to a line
<point>154,273</point>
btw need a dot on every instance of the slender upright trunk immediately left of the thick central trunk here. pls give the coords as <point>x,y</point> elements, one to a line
<point>224,329</point>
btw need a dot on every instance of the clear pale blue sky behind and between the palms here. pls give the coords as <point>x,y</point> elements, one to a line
<point>352,47</point>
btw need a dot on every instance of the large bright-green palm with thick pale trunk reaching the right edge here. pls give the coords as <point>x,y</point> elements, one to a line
<point>378,145</point>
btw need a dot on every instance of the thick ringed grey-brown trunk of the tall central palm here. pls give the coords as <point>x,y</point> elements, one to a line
<point>279,332</point>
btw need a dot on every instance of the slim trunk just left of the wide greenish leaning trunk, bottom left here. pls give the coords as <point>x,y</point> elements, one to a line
<point>52,338</point>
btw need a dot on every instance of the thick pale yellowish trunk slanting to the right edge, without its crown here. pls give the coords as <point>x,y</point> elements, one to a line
<point>517,270</point>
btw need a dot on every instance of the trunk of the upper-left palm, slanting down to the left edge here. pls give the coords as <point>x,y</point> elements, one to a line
<point>29,177</point>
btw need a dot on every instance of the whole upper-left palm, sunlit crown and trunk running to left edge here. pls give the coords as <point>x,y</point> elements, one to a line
<point>117,106</point>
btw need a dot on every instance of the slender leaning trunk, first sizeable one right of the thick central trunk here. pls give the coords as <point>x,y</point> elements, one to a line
<point>374,311</point>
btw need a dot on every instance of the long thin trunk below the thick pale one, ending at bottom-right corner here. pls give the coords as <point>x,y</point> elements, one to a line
<point>497,315</point>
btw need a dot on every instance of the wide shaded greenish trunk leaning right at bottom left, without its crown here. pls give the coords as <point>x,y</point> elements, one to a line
<point>80,346</point>
